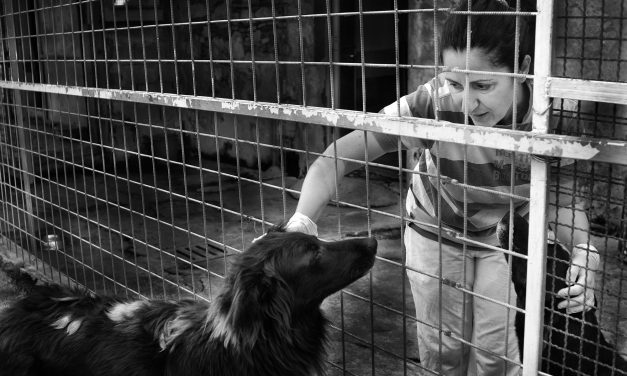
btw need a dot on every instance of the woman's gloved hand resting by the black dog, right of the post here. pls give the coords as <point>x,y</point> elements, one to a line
<point>580,276</point>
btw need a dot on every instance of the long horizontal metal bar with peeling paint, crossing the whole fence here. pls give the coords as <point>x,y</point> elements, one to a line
<point>593,149</point>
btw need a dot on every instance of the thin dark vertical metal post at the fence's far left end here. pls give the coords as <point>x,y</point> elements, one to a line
<point>25,162</point>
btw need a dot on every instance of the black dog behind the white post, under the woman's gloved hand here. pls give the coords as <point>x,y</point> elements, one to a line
<point>573,343</point>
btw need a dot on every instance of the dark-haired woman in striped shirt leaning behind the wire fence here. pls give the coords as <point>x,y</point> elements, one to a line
<point>488,101</point>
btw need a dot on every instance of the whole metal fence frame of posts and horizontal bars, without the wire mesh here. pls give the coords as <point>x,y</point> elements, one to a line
<point>538,142</point>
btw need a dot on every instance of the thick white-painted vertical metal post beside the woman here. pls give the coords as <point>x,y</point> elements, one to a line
<point>539,174</point>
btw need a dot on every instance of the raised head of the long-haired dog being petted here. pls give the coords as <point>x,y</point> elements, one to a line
<point>284,276</point>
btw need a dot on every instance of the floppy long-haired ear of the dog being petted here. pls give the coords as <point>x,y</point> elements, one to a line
<point>256,303</point>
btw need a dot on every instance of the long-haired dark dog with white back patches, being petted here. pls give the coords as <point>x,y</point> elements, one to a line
<point>265,321</point>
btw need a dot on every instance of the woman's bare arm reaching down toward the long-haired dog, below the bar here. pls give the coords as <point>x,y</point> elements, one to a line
<point>320,182</point>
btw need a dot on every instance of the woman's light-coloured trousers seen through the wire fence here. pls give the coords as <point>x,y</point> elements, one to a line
<point>486,324</point>
